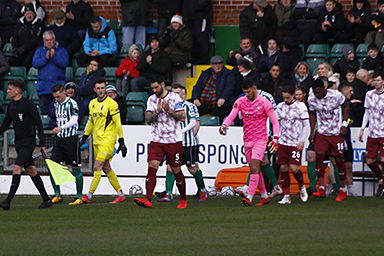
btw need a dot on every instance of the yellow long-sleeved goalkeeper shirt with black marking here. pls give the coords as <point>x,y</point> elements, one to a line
<point>104,121</point>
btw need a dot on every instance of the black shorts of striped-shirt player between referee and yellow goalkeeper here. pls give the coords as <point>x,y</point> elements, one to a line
<point>67,150</point>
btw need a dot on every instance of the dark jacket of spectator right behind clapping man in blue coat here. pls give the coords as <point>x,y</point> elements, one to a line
<point>67,37</point>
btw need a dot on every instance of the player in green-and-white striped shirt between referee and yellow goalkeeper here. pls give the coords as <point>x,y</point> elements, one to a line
<point>66,149</point>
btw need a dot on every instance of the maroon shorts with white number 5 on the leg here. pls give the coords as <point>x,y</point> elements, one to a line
<point>172,151</point>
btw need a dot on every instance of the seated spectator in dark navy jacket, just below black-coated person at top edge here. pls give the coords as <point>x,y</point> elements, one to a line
<point>271,56</point>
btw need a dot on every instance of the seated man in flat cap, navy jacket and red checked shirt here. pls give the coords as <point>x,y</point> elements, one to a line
<point>214,90</point>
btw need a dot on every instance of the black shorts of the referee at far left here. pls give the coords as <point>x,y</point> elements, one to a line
<point>24,150</point>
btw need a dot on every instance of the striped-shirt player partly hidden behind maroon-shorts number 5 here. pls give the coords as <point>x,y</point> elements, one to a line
<point>189,128</point>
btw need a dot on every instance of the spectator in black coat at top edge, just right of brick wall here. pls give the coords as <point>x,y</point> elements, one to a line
<point>257,21</point>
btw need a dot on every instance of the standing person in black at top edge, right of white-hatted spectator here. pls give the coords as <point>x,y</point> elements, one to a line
<point>197,15</point>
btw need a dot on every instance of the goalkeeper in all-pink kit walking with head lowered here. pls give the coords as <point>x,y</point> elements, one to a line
<point>255,110</point>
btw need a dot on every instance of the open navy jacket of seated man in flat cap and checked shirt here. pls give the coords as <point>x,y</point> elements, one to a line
<point>226,84</point>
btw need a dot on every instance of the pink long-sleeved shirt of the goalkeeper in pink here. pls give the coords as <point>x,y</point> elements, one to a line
<point>255,114</point>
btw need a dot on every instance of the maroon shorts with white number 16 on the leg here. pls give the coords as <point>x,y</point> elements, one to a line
<point>333,145</point>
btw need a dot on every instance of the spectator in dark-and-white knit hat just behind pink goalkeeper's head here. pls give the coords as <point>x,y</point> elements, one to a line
<point>244,71</point>
